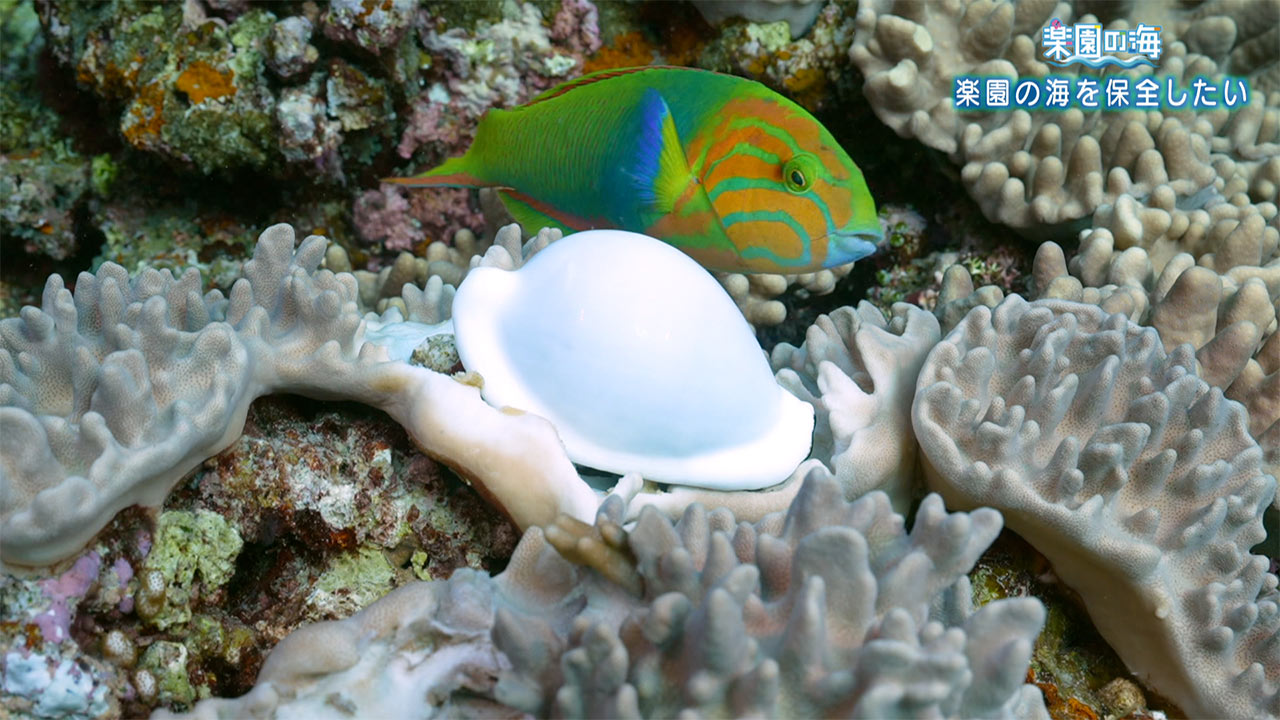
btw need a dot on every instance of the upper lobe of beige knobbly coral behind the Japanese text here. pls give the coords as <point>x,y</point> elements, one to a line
<point>1043,172</point>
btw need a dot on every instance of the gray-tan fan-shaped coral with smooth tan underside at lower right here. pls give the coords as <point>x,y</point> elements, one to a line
<point>1136,479</point>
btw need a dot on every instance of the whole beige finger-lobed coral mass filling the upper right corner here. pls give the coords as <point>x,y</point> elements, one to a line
<point>1183,207</point>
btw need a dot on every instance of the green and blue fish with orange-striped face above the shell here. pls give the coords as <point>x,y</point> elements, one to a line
<point>721,167</point>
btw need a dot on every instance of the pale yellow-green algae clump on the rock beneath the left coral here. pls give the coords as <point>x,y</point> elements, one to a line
<point>195,554</point>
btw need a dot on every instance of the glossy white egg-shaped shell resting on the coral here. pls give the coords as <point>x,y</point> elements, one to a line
<point>638,357</point>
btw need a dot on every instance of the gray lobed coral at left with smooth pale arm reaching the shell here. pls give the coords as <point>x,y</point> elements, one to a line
<point>113,394</point>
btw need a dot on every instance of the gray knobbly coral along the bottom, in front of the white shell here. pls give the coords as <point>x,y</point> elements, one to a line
<point>831,609</point>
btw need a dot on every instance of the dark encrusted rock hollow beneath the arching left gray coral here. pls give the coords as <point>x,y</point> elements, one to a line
<point>333,508</point>
